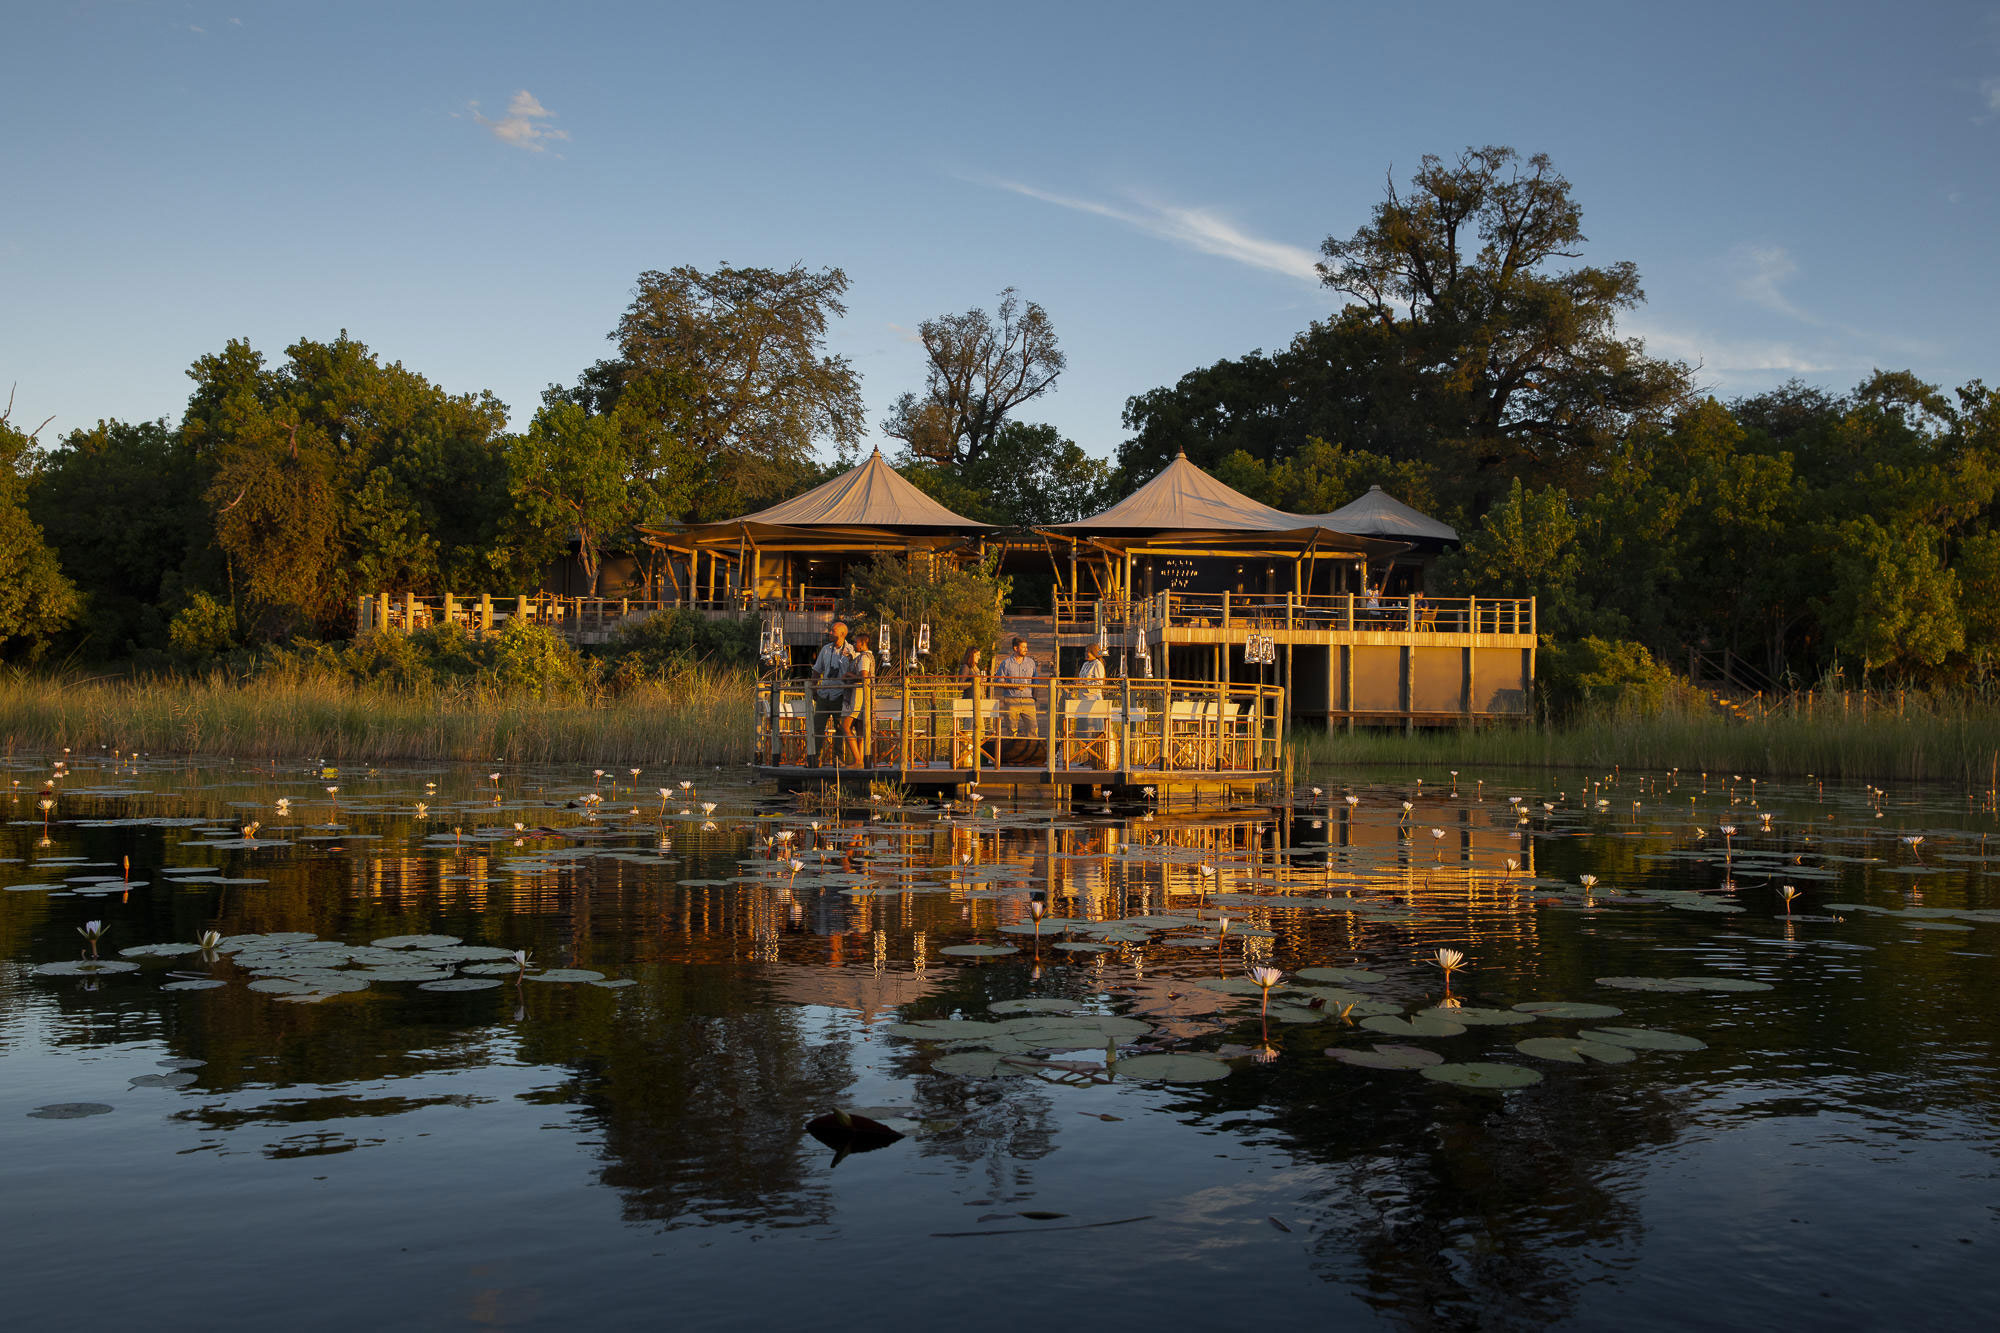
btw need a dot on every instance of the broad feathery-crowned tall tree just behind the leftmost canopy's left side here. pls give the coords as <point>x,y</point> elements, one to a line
<point>737,369</point>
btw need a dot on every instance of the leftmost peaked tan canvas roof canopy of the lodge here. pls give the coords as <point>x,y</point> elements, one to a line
<point>869,501</point>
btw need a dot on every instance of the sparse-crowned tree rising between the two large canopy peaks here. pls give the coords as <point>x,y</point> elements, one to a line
<point>979,371</point>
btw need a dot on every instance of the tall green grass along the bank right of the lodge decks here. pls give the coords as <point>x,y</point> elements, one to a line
<point>1953,740</point>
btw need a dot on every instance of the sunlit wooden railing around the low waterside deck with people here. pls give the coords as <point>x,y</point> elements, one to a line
<point>943,724</point>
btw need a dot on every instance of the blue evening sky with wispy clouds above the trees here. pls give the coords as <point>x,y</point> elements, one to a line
<point>473,189</point>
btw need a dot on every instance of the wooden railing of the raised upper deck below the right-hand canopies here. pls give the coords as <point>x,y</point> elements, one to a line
<point>1293,611</point>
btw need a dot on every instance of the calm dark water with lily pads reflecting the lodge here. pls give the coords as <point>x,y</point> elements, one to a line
<point>353,1146</point>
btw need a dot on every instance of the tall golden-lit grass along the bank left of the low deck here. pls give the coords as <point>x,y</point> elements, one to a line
<point>699,720</point>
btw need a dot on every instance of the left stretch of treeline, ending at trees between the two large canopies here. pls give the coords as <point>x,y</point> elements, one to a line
<point>289,489</point>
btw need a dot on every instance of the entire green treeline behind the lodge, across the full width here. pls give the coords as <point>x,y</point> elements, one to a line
<point>1473,367</point>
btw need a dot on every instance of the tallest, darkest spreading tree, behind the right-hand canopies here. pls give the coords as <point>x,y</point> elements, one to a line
<point>1463,345</point>
